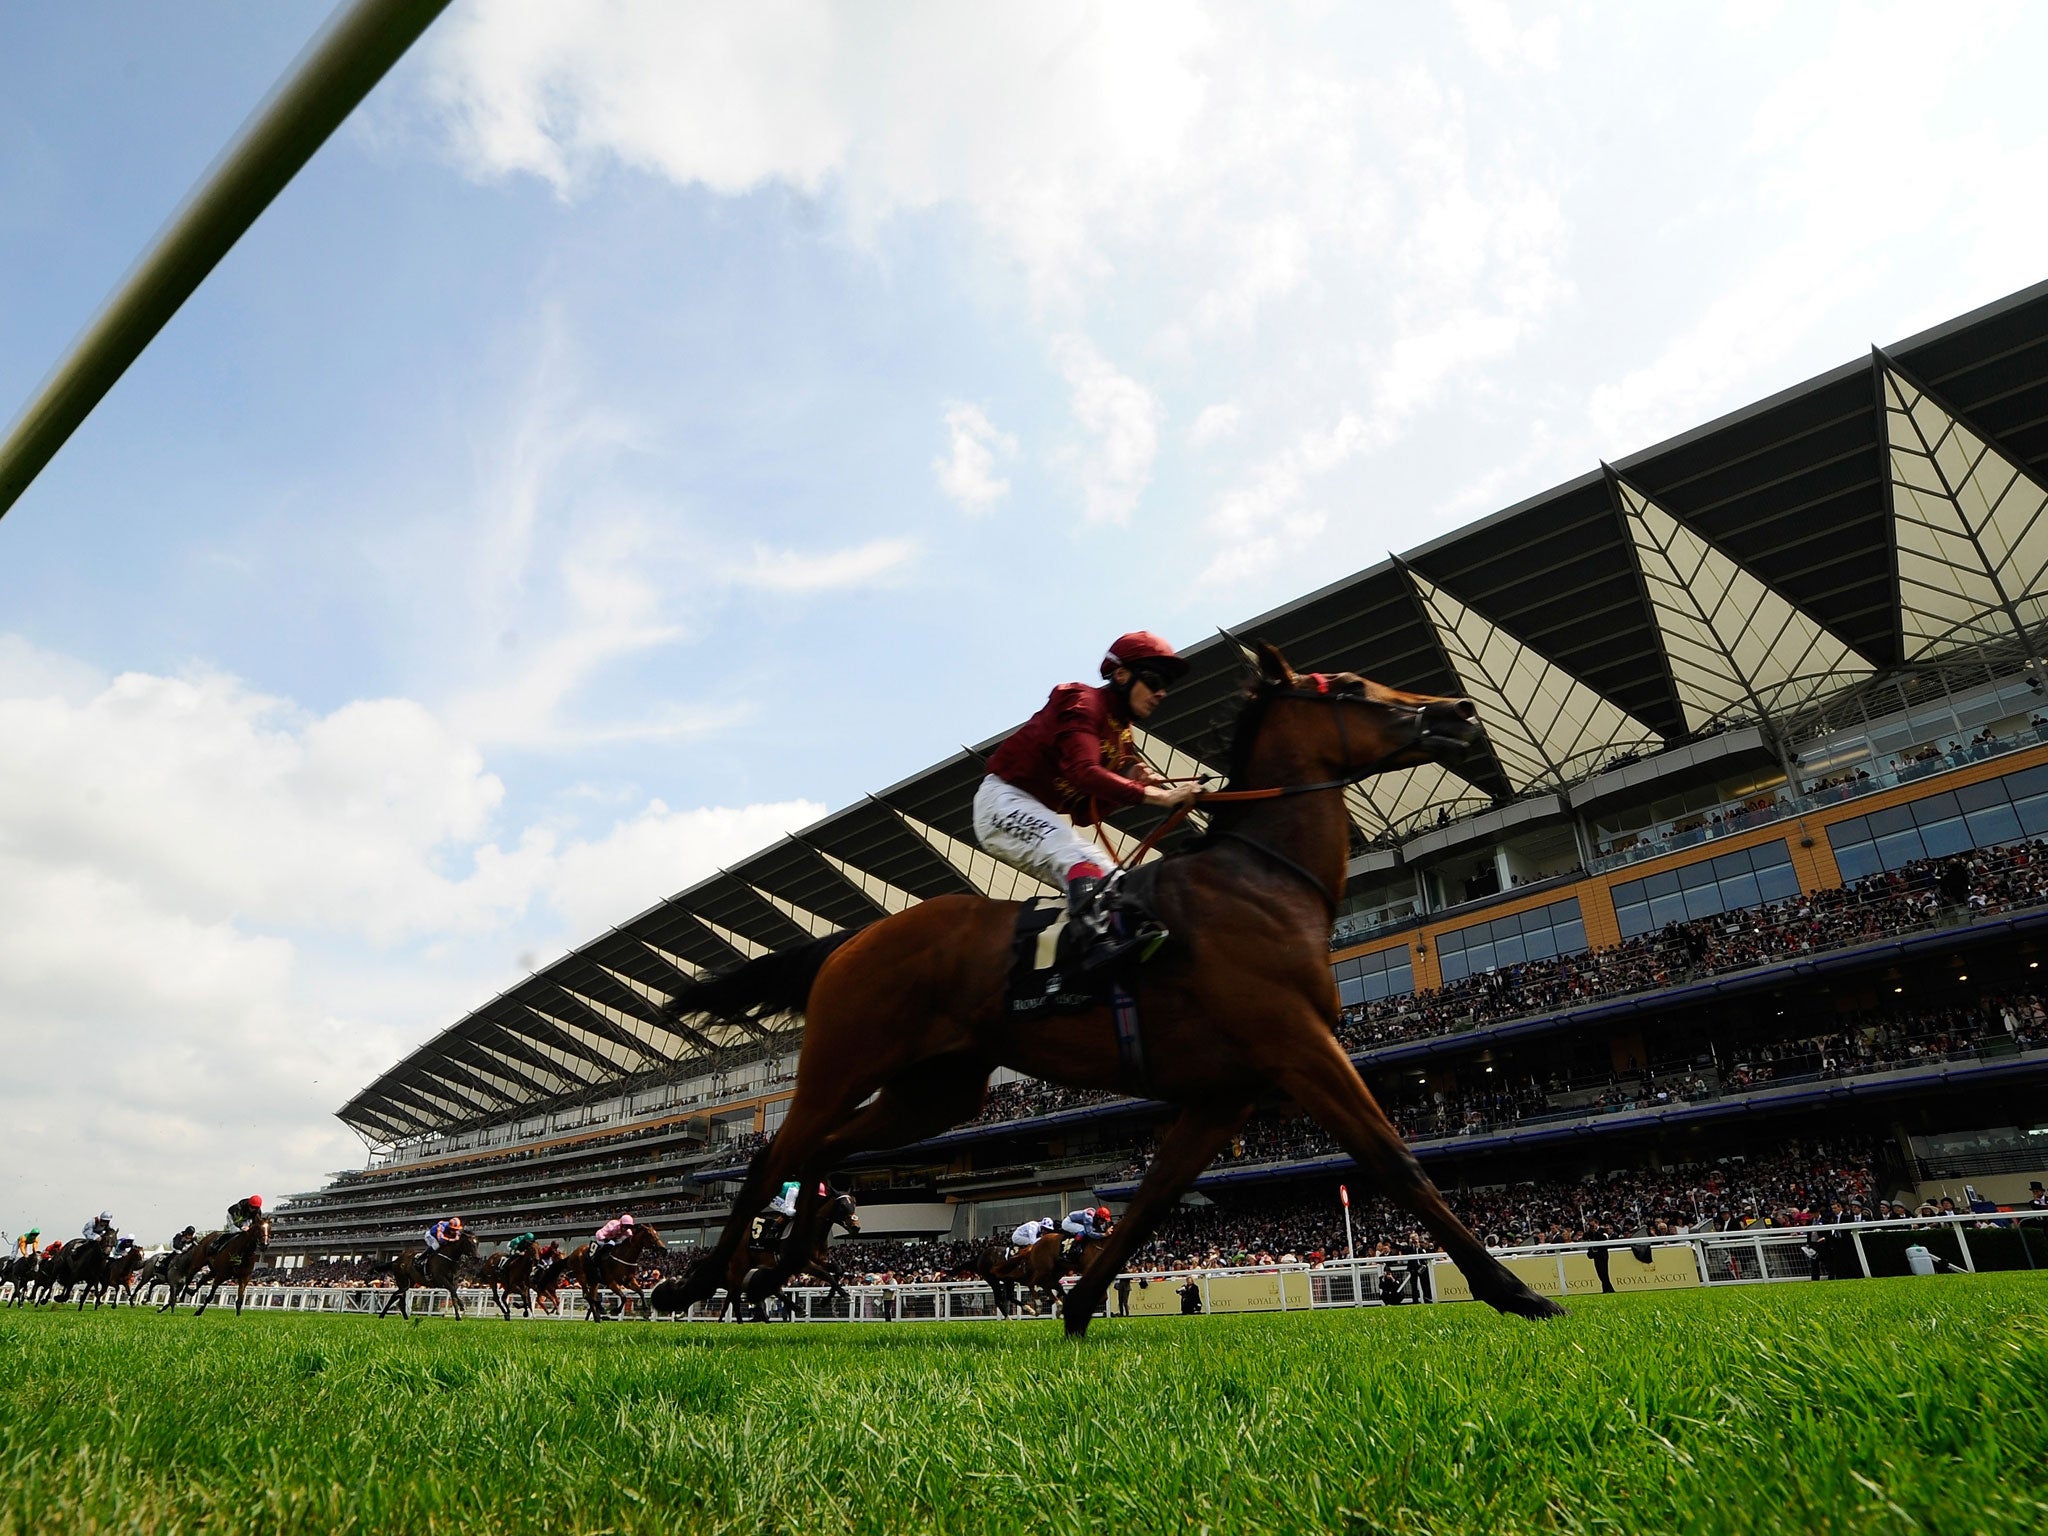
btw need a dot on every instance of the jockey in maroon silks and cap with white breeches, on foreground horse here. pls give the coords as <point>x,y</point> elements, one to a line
<point>1076,761</point>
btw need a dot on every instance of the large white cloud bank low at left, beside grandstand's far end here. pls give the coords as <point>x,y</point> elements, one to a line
<point>222,914</point>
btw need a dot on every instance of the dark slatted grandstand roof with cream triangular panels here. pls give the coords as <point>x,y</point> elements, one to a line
<point>1879,521</point>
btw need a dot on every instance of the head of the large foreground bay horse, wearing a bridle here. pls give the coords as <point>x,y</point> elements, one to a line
<point>1355,728</point>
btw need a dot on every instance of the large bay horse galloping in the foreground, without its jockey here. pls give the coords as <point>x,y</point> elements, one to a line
<point>906,1021</point>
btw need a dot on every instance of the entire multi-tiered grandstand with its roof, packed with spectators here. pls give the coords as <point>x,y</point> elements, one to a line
<point>1748,859</point>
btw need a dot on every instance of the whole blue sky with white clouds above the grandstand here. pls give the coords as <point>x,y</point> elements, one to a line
<point>646,427</point>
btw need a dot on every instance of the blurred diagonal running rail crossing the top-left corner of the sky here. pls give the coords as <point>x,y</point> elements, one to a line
<point>337,71</point>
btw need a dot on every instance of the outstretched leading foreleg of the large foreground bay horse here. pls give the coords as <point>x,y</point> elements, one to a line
<point>1316,1072</point>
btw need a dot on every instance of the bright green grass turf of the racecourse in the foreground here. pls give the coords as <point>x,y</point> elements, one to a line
<point>1840,1408</point>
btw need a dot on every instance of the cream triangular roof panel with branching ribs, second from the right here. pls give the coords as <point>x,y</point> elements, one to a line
<point>1736,646</point>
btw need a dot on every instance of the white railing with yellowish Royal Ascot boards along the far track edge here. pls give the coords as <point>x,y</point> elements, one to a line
<point>2016,1240</point>
